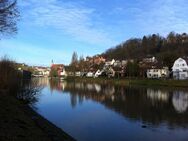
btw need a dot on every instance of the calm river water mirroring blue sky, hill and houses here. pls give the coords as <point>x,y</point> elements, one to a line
<point>93,112</point>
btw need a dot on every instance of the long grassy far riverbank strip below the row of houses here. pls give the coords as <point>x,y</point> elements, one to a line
<point>131,81</point>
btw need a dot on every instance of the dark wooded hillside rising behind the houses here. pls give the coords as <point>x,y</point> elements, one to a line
<point>166,49</point>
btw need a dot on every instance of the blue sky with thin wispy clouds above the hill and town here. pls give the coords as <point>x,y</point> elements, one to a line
<point>53,29</point>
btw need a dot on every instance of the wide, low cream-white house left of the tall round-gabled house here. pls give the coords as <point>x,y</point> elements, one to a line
<point>158,72</point>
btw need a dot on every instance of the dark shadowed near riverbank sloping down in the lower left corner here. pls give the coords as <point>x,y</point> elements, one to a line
<point>19,122</point>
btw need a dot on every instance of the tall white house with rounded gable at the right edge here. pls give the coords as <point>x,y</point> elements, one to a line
<point>180,69</point>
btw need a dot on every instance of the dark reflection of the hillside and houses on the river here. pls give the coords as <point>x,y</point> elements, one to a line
<point>154,106</point>
